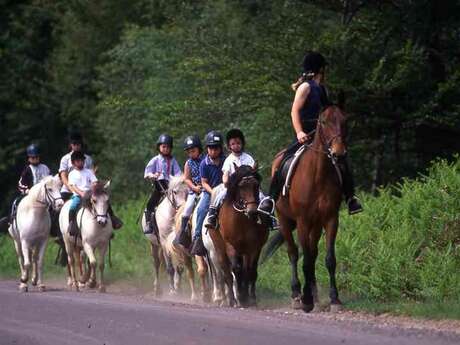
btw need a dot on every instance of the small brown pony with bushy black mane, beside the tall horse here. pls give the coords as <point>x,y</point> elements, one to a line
<point>240,238</point>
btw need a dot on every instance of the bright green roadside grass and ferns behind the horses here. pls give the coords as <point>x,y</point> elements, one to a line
<point>401,256</point>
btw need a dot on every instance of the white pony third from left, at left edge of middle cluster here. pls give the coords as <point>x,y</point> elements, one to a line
<point>176,195</point>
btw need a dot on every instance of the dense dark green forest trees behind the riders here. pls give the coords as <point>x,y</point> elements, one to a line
<point>125,71</point>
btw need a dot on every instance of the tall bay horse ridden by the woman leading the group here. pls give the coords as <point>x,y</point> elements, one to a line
<point>312,205</point>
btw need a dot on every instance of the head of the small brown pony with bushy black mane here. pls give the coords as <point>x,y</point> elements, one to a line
<point>243,190</point>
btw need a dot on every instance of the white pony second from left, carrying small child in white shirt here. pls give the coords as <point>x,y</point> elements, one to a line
<point>95,229</point>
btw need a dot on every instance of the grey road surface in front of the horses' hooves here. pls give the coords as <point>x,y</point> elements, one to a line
<point>67,318</point>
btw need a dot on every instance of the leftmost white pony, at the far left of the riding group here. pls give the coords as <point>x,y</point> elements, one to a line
<point>30,228</point>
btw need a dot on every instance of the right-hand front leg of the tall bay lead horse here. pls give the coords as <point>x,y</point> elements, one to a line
<point>331,233</point>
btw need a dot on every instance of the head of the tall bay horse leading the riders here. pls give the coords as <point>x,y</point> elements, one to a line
<point>331,130</point>
